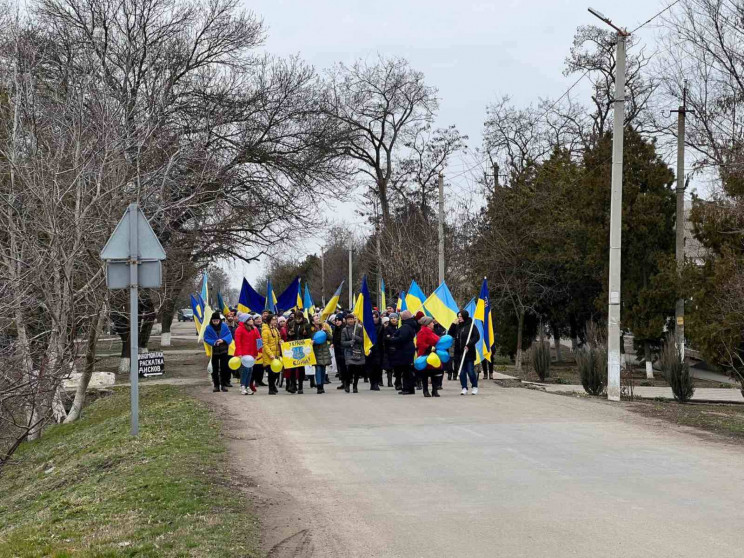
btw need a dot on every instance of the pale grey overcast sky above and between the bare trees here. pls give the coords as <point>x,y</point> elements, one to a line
<point>473,52</point>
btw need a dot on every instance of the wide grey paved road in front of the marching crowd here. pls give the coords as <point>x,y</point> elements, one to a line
<point>507,473</point>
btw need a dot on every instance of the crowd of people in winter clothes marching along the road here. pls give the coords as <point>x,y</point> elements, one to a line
<point>401,338</point>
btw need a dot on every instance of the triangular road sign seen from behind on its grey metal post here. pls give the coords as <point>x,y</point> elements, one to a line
<point>133,254</point>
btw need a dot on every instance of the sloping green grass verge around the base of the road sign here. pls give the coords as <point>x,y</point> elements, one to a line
<point>90,489</point>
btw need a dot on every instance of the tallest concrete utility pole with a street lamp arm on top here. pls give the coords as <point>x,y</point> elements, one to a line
<point>616,216</point>
